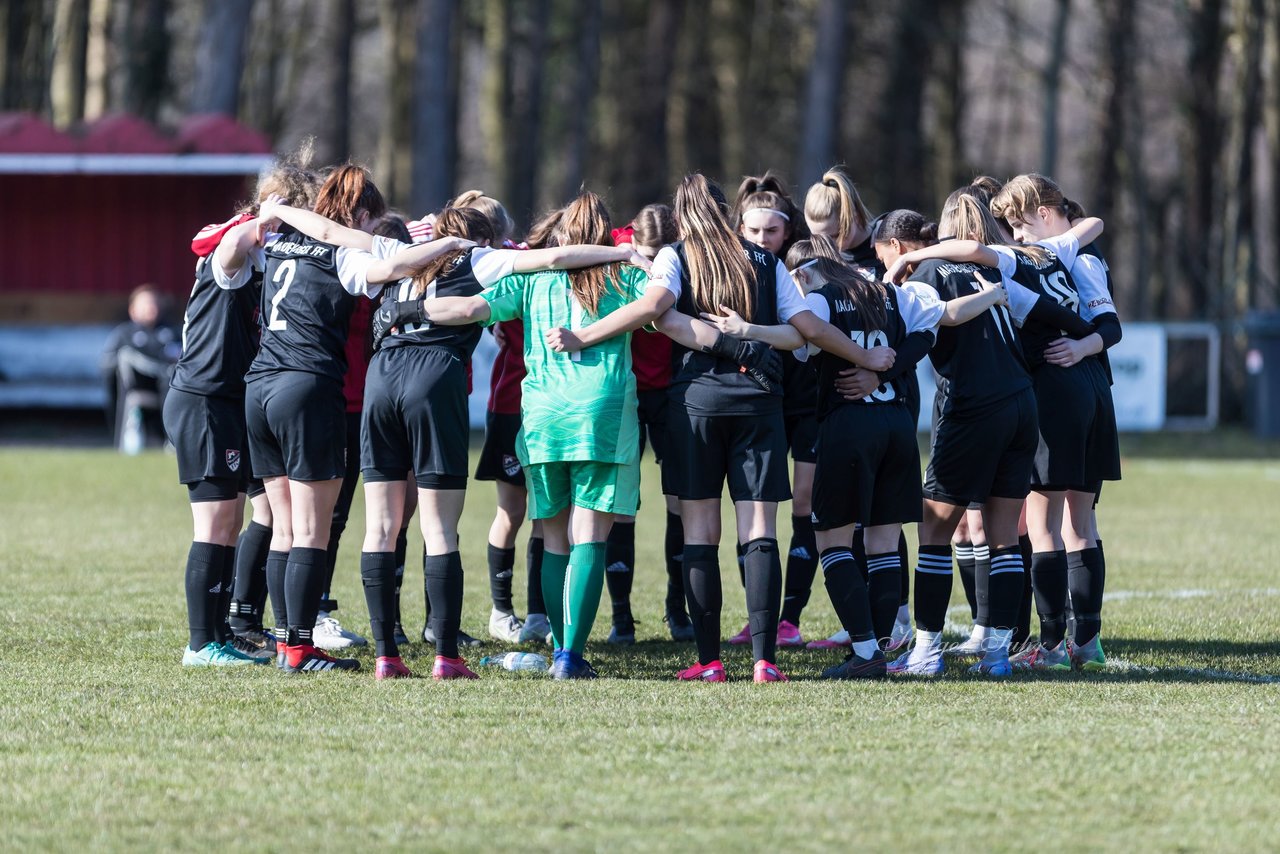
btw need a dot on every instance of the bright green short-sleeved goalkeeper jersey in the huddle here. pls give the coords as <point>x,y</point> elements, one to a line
<point>574,407</point>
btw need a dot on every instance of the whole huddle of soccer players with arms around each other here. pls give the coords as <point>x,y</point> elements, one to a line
<point>327,340</point>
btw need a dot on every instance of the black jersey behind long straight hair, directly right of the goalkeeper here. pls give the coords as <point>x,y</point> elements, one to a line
<point>707,385</point>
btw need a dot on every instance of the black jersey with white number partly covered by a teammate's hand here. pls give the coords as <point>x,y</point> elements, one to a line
<point>845,318</point>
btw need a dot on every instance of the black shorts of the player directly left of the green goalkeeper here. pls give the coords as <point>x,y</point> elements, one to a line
<point>417,418</point>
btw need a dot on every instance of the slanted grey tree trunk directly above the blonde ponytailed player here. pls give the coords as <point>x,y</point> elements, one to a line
<point>824,98</point>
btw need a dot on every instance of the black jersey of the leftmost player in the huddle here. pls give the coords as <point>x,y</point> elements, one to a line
<point>220,335</point>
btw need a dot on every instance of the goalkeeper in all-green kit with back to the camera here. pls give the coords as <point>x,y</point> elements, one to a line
<point>579,440</point>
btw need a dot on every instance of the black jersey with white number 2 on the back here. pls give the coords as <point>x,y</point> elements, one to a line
<point>307,312</point>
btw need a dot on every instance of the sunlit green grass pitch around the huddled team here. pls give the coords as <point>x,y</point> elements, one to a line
<point>106,742</point>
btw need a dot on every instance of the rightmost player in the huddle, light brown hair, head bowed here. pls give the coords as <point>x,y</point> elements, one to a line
<point>1039,212</point>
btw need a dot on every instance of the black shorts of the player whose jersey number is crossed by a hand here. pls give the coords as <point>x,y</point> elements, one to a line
<point>874,479</point>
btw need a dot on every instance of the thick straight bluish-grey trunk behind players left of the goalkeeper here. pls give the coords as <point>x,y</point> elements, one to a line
<point>436,95</point>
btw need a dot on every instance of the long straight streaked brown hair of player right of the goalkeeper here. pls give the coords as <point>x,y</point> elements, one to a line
<point>719,271</point>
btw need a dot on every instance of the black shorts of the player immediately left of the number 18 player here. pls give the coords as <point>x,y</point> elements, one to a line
<point>991,455</point>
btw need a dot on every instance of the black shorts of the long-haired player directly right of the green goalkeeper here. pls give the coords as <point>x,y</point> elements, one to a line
<point>747,450</point>
